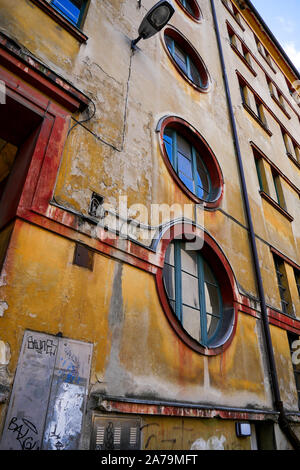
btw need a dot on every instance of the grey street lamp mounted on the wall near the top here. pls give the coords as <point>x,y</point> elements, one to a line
<point>156,18</point>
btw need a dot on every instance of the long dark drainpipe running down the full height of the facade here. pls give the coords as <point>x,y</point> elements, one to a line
<point>283,420</point>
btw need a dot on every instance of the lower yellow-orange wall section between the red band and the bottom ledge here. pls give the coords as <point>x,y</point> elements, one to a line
<point>116,307</point>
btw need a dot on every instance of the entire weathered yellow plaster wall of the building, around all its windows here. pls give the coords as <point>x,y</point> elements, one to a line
<point>116,307</point>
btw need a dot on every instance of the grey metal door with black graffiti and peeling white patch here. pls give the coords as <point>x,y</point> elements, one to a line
<point>49,394</point>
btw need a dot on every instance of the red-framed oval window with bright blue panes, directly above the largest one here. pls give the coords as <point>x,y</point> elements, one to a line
<point>191,162</point>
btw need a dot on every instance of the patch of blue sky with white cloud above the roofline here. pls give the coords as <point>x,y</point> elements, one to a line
<point>283,19</point>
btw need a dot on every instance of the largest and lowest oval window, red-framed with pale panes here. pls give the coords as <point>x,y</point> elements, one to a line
<point>197,290</point>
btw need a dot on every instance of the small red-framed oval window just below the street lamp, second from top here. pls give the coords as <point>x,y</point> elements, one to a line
<point>186,59</point>
